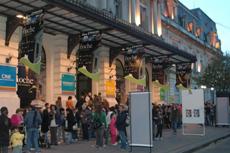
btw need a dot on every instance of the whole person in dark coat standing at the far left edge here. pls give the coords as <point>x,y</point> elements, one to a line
<point>4,130</point>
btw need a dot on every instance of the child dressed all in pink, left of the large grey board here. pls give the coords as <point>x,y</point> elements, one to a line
<point>113,129</point>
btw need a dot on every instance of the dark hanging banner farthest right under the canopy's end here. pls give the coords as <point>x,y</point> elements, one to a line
<point>183,72</point>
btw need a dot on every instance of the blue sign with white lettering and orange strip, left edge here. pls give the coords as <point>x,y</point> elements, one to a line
<point>7,78</point>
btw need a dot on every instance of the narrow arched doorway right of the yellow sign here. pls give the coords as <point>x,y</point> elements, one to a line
<point>120,82</point>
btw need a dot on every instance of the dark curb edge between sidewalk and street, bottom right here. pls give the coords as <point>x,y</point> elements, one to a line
<point>206,144</point>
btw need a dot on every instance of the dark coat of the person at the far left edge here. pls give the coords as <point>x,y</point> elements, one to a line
<point>4,130</point>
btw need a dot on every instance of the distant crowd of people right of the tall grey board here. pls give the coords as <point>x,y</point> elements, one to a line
<point>170,117</point>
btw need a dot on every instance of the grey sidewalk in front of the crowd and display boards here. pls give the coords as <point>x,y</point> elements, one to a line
<point>170,144</point>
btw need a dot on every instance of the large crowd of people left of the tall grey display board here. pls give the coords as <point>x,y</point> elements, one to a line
<point>90,118</point>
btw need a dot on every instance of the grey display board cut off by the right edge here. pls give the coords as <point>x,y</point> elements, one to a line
<point>222,111</point>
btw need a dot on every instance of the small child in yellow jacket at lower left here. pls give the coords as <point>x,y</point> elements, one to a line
<point>16,141</point>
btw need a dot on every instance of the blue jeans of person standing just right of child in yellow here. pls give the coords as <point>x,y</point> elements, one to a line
<point>32,138</point>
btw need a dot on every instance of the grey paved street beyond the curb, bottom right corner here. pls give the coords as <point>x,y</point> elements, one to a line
<point>220,147</point>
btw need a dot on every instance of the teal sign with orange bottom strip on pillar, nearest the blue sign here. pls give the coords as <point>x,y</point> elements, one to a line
<point>68,84</point>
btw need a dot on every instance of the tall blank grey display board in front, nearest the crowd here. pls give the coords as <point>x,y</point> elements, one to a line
<point>140,119</point>
